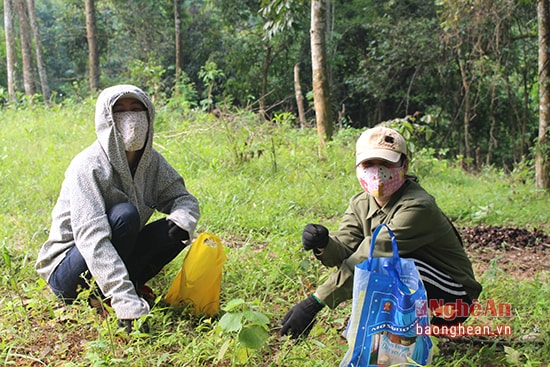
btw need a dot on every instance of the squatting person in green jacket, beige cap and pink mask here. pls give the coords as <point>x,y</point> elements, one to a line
<point>422,231</point>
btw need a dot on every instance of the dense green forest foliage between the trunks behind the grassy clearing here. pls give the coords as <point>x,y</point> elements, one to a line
<point>468,67</point>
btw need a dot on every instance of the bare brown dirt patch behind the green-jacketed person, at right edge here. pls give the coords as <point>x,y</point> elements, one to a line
<point>519,252</point>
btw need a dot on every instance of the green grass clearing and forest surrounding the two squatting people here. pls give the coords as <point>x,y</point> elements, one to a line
<point>458,78</point>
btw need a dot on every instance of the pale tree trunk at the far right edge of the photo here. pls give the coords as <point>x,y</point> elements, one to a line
<point>542,162</point>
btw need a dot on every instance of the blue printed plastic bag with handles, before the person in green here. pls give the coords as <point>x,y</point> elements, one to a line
<point>389,307</point>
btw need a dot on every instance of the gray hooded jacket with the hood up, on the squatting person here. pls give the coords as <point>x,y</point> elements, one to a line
<point>98,178</point>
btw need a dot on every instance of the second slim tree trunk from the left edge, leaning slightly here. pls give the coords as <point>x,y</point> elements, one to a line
<point>26,53</point>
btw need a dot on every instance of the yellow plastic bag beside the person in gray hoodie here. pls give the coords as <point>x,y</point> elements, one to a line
<point>199,279</point>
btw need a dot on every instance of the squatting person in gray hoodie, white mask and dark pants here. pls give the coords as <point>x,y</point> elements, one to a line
<point>100,227</point>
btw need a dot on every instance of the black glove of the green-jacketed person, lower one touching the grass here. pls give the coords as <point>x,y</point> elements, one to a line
<point>300,319</point>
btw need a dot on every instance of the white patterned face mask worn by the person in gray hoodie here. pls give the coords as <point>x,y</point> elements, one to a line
<point>132,127</point>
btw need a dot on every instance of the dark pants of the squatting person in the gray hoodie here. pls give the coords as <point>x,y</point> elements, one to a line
<point>144,253</point>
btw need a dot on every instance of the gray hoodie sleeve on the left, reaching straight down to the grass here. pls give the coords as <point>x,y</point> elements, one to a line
<point>92,235</point>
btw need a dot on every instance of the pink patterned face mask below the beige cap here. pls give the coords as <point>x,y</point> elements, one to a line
<point>380,181</point>
